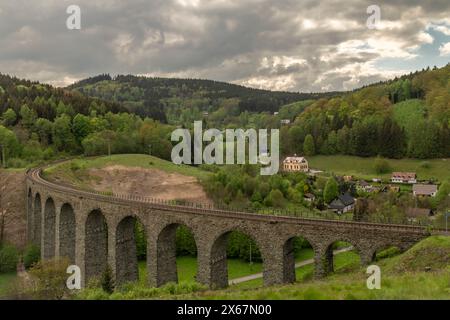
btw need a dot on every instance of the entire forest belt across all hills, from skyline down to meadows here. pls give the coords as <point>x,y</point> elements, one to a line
<point>405,117</point>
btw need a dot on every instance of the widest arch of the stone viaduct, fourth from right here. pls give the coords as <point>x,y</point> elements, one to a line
<point>218,257</point>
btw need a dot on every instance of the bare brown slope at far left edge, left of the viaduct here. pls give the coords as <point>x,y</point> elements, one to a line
<point>12,193</point>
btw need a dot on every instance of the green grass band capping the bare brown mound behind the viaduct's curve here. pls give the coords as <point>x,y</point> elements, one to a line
<point>76,170</point>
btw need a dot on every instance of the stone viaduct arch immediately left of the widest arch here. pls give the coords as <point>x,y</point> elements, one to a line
<point>166,252</point>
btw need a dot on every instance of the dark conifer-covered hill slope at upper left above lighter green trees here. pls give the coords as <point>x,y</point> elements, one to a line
<point>46,101</point>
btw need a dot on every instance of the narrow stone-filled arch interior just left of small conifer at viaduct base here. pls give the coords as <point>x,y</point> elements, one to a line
<point>96,245</point>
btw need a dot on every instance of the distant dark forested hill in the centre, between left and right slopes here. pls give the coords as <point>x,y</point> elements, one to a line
<point>164,98</point>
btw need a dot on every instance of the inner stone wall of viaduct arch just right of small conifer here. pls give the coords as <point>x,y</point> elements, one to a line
<point>127,269</point>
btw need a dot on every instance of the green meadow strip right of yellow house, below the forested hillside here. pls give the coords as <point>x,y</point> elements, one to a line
<point>364,167</point>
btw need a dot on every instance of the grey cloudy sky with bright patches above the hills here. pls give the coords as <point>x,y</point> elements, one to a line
<point>296,45</point>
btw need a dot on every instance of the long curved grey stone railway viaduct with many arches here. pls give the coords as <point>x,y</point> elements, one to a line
<point>95,230</point>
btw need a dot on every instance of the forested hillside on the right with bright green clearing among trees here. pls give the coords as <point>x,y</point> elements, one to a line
<point>405,117</point>
